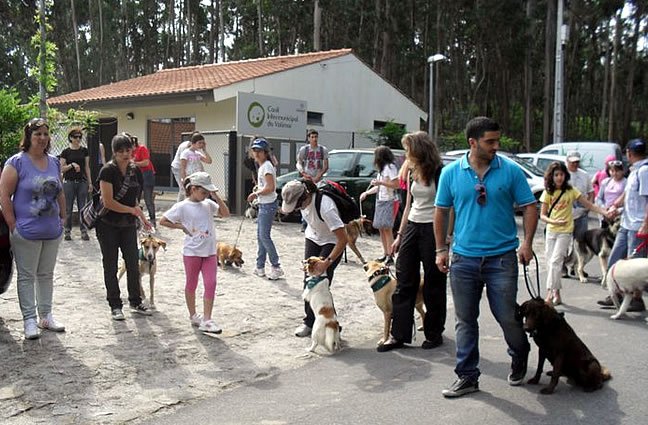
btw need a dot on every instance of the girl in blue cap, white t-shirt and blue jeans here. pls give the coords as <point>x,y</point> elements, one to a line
<point>266,196</point>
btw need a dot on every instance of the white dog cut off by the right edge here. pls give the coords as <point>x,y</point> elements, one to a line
<point>625,277</point>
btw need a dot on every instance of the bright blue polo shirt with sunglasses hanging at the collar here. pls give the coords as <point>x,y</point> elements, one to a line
<point>489,229</point>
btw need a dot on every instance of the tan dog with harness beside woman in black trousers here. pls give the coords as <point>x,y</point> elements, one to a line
<point>383,286</point>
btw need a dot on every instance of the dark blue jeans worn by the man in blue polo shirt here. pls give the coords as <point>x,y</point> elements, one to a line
<point>468,276</point>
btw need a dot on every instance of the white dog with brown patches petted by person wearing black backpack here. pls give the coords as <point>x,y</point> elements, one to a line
<point>326,329</point>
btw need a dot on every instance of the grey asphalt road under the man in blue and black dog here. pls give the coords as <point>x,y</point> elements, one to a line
<point>361,386</point>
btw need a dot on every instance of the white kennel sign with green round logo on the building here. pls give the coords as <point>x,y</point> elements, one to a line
<point>269,116</point>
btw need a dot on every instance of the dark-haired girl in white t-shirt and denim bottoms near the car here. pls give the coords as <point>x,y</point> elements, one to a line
<point>384,185</point>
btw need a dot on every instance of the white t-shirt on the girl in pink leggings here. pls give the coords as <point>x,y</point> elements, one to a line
<point>198,218</point>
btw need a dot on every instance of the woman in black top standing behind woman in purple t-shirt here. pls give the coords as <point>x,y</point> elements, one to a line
<point>75,164</point>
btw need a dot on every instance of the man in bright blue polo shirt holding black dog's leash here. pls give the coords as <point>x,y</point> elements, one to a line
<point>483,189</point>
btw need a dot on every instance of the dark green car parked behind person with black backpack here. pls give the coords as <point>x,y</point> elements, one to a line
<point>353,169</point>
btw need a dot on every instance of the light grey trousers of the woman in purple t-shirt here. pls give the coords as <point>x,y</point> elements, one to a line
<point>35,261</point>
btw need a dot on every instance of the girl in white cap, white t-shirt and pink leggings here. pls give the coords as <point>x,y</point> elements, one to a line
<point>195,217</point>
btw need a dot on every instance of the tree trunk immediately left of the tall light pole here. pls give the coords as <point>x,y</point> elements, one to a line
<point>550,40</point>
